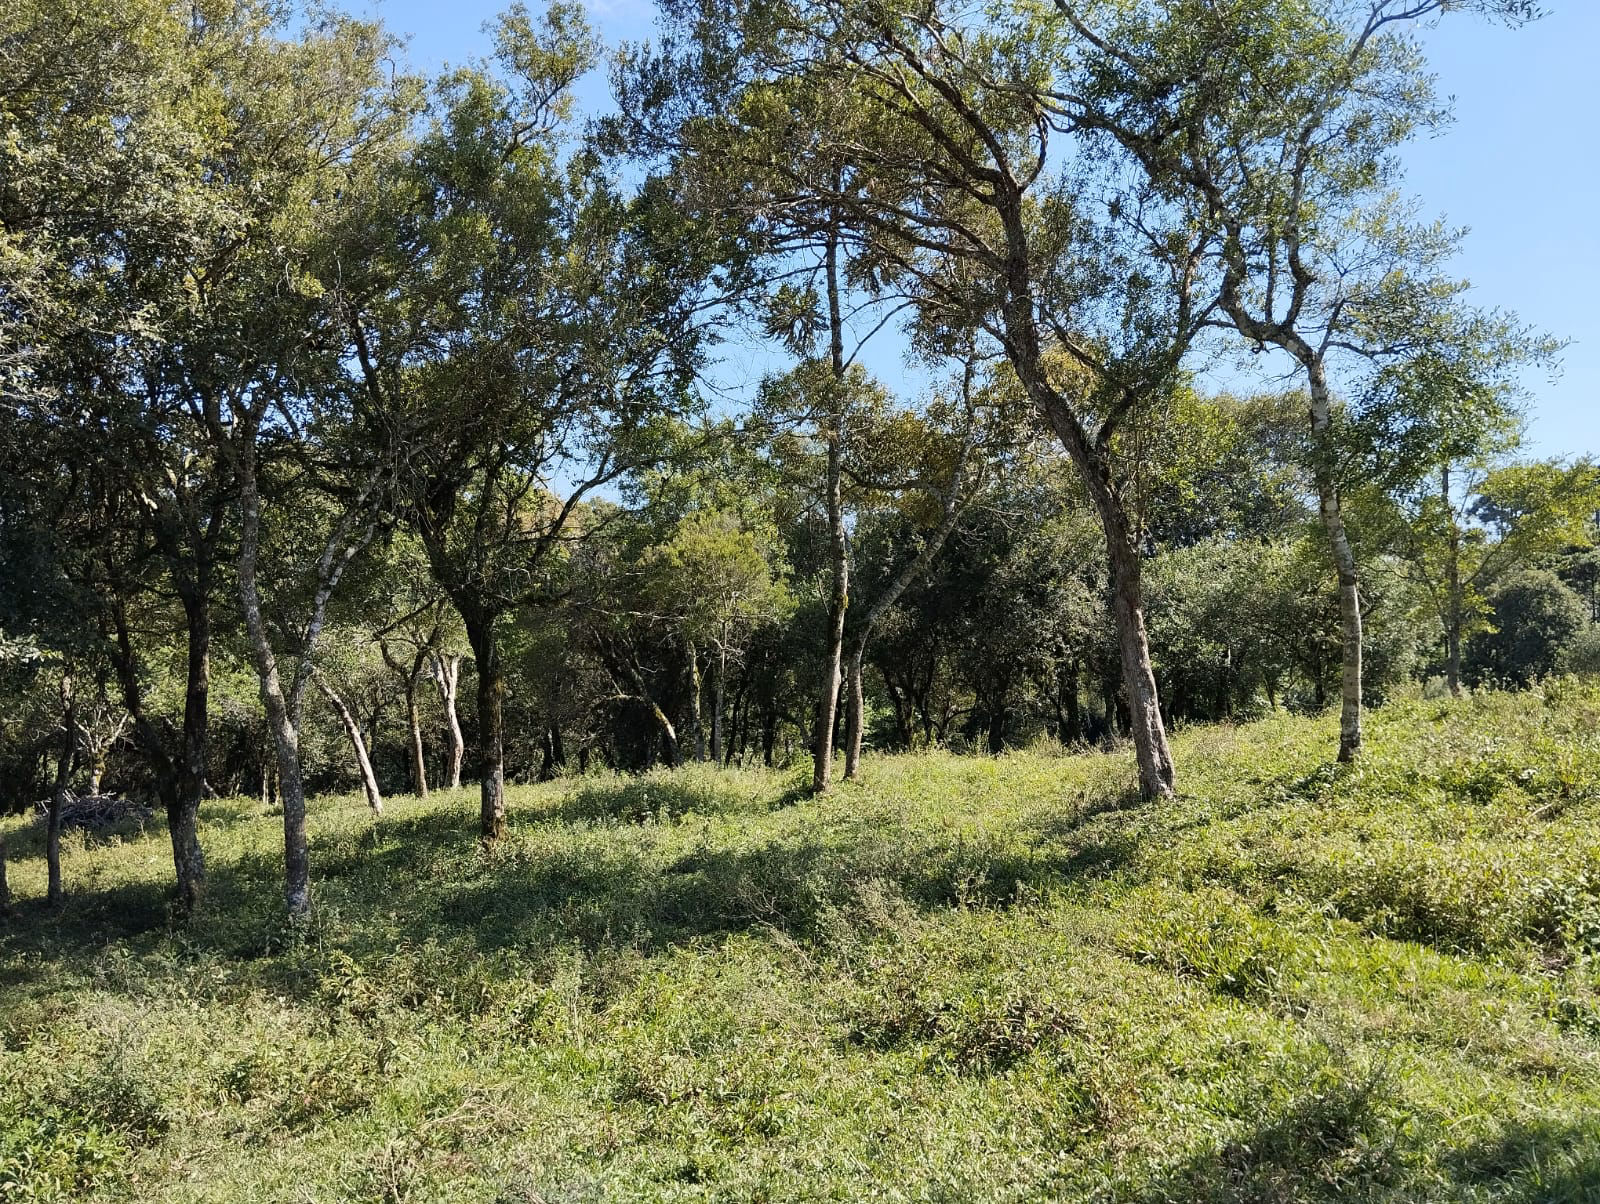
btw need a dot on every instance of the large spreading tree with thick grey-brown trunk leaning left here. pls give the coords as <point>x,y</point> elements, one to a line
<point>961,198</point>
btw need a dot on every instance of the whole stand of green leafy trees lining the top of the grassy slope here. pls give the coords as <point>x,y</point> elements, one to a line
<point>374,430</point>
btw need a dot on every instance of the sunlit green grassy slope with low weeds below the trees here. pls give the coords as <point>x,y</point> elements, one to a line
<point>964,981</point>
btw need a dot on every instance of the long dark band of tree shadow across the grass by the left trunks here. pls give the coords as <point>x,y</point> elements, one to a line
<point>567,880</point>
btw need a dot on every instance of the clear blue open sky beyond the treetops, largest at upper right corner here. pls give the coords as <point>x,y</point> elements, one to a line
<point>1521,169</point>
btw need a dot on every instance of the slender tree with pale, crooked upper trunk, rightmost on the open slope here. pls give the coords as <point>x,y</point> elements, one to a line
<point>1274,126</point>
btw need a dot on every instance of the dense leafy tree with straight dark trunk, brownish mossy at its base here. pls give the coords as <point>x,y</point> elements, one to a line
<point>527,326</point>
